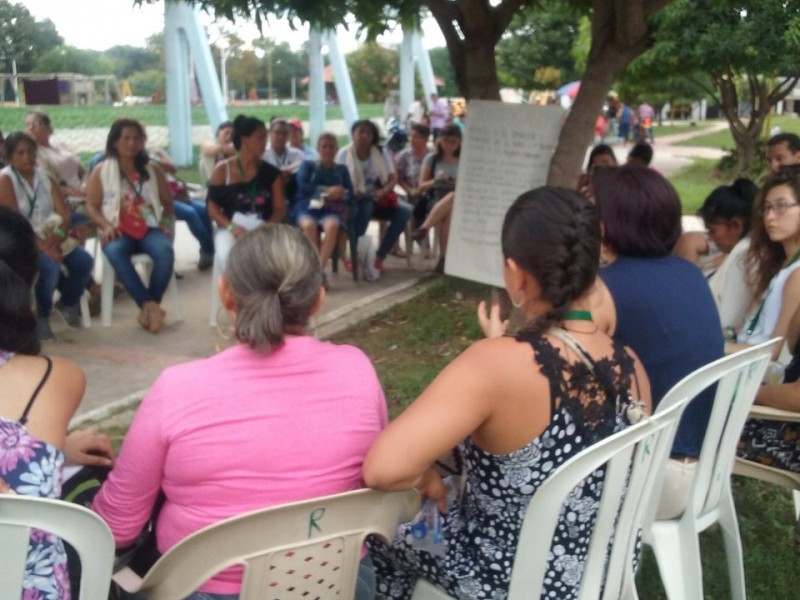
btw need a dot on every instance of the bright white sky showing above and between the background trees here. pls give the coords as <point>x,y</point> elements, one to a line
<point>101,24</point>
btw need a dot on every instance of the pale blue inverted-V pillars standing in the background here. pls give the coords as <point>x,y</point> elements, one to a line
<point>186,45</point>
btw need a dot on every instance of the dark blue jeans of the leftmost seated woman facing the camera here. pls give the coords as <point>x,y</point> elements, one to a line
<point>79,271</point>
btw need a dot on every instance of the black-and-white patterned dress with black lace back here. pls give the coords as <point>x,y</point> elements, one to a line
<point>481,528</point>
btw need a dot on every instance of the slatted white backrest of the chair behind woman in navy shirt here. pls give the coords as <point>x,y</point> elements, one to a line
<point>738,378</point>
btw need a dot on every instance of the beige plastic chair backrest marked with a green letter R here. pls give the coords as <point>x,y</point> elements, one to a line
<point>308,549</point>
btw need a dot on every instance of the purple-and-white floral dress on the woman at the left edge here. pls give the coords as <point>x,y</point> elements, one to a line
<point>32,467</point>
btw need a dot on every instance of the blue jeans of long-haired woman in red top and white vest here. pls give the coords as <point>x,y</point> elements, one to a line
<point>158,247</point>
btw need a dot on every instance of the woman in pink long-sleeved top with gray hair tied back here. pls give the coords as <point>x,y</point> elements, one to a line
<point>280,417</point>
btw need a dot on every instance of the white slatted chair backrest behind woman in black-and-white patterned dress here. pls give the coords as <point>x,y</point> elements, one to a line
<point>633,460</point>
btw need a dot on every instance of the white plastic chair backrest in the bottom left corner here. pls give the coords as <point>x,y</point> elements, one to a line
<point>82,528</point>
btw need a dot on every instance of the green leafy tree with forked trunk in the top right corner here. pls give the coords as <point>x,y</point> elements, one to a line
<point>741,54</point>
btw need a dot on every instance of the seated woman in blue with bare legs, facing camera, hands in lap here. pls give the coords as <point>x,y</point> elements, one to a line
<point>327,183</point>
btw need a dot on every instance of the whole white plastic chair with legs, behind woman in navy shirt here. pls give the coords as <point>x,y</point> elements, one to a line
<point>675,541</point>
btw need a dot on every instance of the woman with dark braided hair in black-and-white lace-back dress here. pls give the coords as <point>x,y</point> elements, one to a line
<point>503,403</point>
